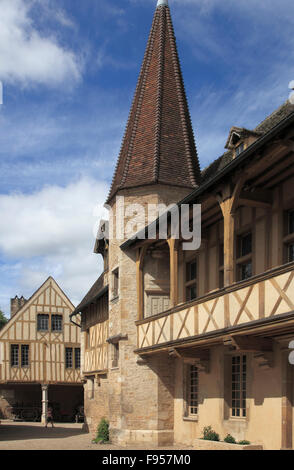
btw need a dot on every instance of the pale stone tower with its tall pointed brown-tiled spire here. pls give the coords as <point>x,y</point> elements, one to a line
<point>157,164</point>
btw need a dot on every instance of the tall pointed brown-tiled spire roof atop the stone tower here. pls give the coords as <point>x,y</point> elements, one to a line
<point>158,146</point>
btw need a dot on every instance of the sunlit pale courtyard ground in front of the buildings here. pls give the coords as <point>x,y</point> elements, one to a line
<point>34,436</point>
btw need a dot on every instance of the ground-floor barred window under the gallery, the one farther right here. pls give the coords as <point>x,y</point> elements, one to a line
<point>239,377</point>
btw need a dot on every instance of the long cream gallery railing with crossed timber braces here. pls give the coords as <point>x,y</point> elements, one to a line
<point>261,297</point>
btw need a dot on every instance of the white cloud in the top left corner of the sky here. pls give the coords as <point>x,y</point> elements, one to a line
<point>26,56</point>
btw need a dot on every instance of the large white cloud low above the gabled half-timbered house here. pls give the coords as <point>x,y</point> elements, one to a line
<point>51,233</point>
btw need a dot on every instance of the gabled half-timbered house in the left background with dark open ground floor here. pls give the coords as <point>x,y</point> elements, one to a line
<point>40,355</point>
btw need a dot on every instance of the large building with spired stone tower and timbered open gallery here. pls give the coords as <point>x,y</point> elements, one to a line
<point>200,337</point>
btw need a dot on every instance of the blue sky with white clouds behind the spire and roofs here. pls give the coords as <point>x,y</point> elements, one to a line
<point>69,69</point>
